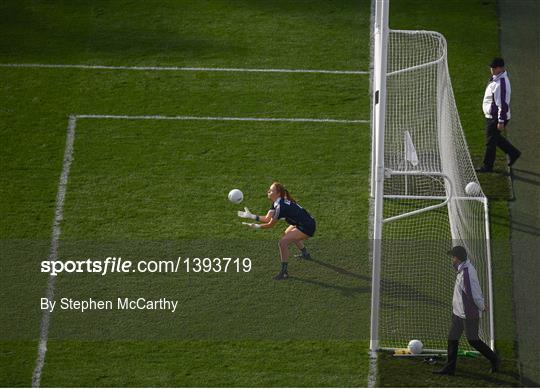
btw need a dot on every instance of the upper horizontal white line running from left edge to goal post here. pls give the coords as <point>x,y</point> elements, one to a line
<point>178,68</point>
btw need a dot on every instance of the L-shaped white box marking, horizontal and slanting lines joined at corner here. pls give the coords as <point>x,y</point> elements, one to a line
<point>61,194</point>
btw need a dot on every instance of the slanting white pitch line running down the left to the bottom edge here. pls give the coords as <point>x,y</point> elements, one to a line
<point>53,253</point>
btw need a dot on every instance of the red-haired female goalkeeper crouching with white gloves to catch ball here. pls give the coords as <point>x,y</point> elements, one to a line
<point>302,225</point>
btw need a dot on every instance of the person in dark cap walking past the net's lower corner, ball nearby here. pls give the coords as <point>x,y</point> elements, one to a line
<point>467,305</point>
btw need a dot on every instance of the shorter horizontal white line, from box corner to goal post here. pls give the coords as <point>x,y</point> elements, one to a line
<point>220,118</point>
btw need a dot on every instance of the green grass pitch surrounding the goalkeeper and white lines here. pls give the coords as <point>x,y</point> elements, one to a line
<point>155,188</point>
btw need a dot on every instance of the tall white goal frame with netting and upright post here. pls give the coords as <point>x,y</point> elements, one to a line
<point>420,208</point>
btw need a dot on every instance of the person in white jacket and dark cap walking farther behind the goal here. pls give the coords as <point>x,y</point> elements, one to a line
<point>496,106</point>
